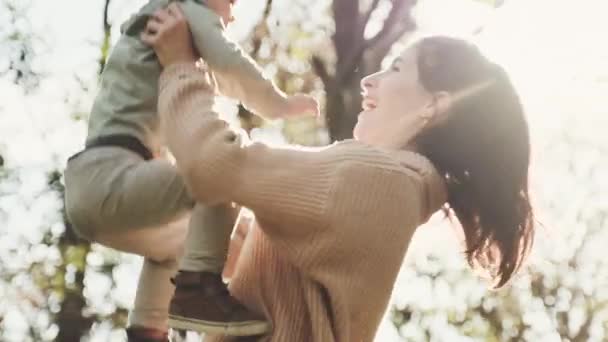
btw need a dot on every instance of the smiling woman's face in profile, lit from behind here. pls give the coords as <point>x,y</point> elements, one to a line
<point>388,96</point>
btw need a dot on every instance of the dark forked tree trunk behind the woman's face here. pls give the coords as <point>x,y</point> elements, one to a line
<point>357,57</point>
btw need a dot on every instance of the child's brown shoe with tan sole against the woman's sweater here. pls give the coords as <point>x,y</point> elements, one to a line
<point>202,303</point>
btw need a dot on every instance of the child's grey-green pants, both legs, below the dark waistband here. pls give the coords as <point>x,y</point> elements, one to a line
<point>116,198</point>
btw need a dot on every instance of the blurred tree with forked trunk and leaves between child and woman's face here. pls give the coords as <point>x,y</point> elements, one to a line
<point>355,51</point>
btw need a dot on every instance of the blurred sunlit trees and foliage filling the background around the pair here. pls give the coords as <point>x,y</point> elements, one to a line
<point>54,286</point>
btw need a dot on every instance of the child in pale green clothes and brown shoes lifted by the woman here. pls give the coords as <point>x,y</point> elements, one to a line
<point>119,195</point>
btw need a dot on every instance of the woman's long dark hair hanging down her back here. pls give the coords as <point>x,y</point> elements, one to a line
<point>482,150</point>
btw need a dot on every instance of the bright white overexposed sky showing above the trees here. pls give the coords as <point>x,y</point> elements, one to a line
<point>546,45</point>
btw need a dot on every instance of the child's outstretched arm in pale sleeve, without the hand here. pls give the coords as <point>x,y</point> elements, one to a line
<point>237,74</point>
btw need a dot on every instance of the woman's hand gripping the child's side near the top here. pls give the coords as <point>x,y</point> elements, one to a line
<point>168,33</point>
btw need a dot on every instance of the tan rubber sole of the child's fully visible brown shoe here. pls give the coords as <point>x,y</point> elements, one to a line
<point>249,328</point>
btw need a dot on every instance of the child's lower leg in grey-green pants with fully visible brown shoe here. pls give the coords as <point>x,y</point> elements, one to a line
<point>202,301</point>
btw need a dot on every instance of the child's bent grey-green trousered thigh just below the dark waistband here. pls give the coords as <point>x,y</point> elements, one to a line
<point>111,189</point>
